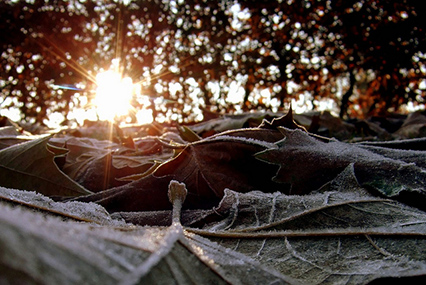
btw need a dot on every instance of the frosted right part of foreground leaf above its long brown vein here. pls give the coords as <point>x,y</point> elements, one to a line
<point>256,210</point>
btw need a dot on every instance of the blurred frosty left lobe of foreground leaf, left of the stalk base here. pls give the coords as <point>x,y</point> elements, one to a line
<point>52,251</point>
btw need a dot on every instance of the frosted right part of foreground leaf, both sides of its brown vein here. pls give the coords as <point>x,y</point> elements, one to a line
<point>339,235</point>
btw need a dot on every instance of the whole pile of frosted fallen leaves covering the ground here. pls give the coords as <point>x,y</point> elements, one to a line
<point>273,203</point>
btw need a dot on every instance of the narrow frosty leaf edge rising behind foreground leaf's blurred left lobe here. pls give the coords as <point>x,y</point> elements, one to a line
<point>90,212</point>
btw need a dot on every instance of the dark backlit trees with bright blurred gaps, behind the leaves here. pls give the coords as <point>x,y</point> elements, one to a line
<point>366,57</point>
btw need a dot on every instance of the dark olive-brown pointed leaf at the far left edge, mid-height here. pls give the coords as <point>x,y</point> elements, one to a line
<point>30,166</point>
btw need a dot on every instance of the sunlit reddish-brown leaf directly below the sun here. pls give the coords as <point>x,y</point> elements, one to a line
<point>99,165</point>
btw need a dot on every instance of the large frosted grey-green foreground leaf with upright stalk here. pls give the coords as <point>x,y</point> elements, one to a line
<point>341,234</point>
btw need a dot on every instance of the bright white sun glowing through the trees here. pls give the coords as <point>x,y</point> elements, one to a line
<point>114,94</point>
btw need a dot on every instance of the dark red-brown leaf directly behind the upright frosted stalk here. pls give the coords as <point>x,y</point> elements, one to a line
<point>227,160</point>
